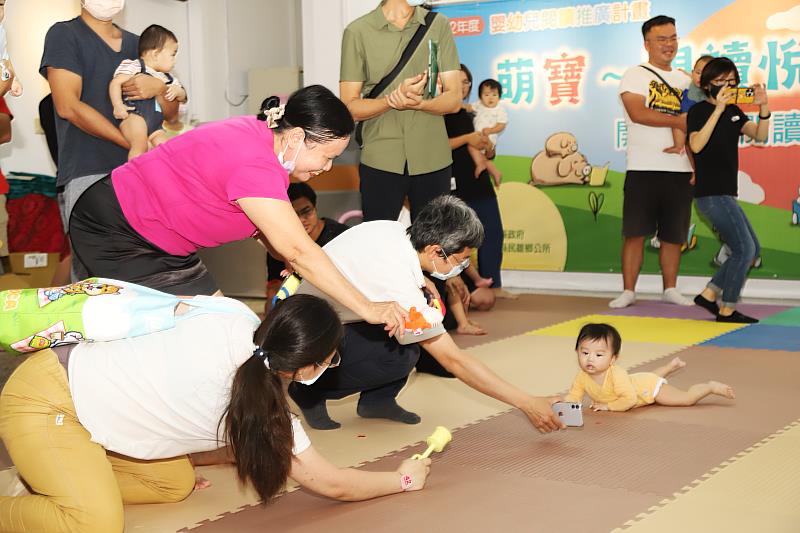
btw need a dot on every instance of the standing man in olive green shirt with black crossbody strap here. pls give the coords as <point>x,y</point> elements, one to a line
<point>406,149</point>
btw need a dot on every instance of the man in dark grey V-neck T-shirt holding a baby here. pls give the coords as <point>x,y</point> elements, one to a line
<point>79,59</point>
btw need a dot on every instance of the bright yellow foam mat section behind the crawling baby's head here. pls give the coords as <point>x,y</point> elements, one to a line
<point>645,329</point>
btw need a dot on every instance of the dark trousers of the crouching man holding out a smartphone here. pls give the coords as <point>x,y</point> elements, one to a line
<point>373,364</point>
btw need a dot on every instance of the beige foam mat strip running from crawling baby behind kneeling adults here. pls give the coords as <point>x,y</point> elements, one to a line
<point>541,365</point>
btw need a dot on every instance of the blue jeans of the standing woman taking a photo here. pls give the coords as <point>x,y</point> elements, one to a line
<point>728,219</point>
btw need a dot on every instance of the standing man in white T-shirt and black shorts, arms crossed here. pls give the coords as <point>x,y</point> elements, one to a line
<point>658,193</point>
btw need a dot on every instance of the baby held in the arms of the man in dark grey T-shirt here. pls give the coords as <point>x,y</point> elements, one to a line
<point>142,119</point>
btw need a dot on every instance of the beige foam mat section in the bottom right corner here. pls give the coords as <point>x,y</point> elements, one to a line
<point>757,490</point>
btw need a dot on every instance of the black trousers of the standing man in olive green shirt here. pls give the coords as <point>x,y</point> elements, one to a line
<point>382,193</point>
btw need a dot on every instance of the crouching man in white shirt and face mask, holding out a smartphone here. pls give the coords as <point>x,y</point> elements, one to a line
<point>384,261</point>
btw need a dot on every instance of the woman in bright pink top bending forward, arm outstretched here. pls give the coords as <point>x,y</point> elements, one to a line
<point>220,183</point>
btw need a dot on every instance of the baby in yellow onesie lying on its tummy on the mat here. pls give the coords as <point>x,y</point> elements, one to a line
<point>611,388</point>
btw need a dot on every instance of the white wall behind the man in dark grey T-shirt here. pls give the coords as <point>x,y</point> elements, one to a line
<point>220,40</point>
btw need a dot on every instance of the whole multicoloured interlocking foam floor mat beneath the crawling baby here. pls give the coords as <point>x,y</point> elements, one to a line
<point>732,464</point>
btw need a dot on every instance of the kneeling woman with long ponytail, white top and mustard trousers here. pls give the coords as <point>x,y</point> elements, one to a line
<point>93,426</point>
